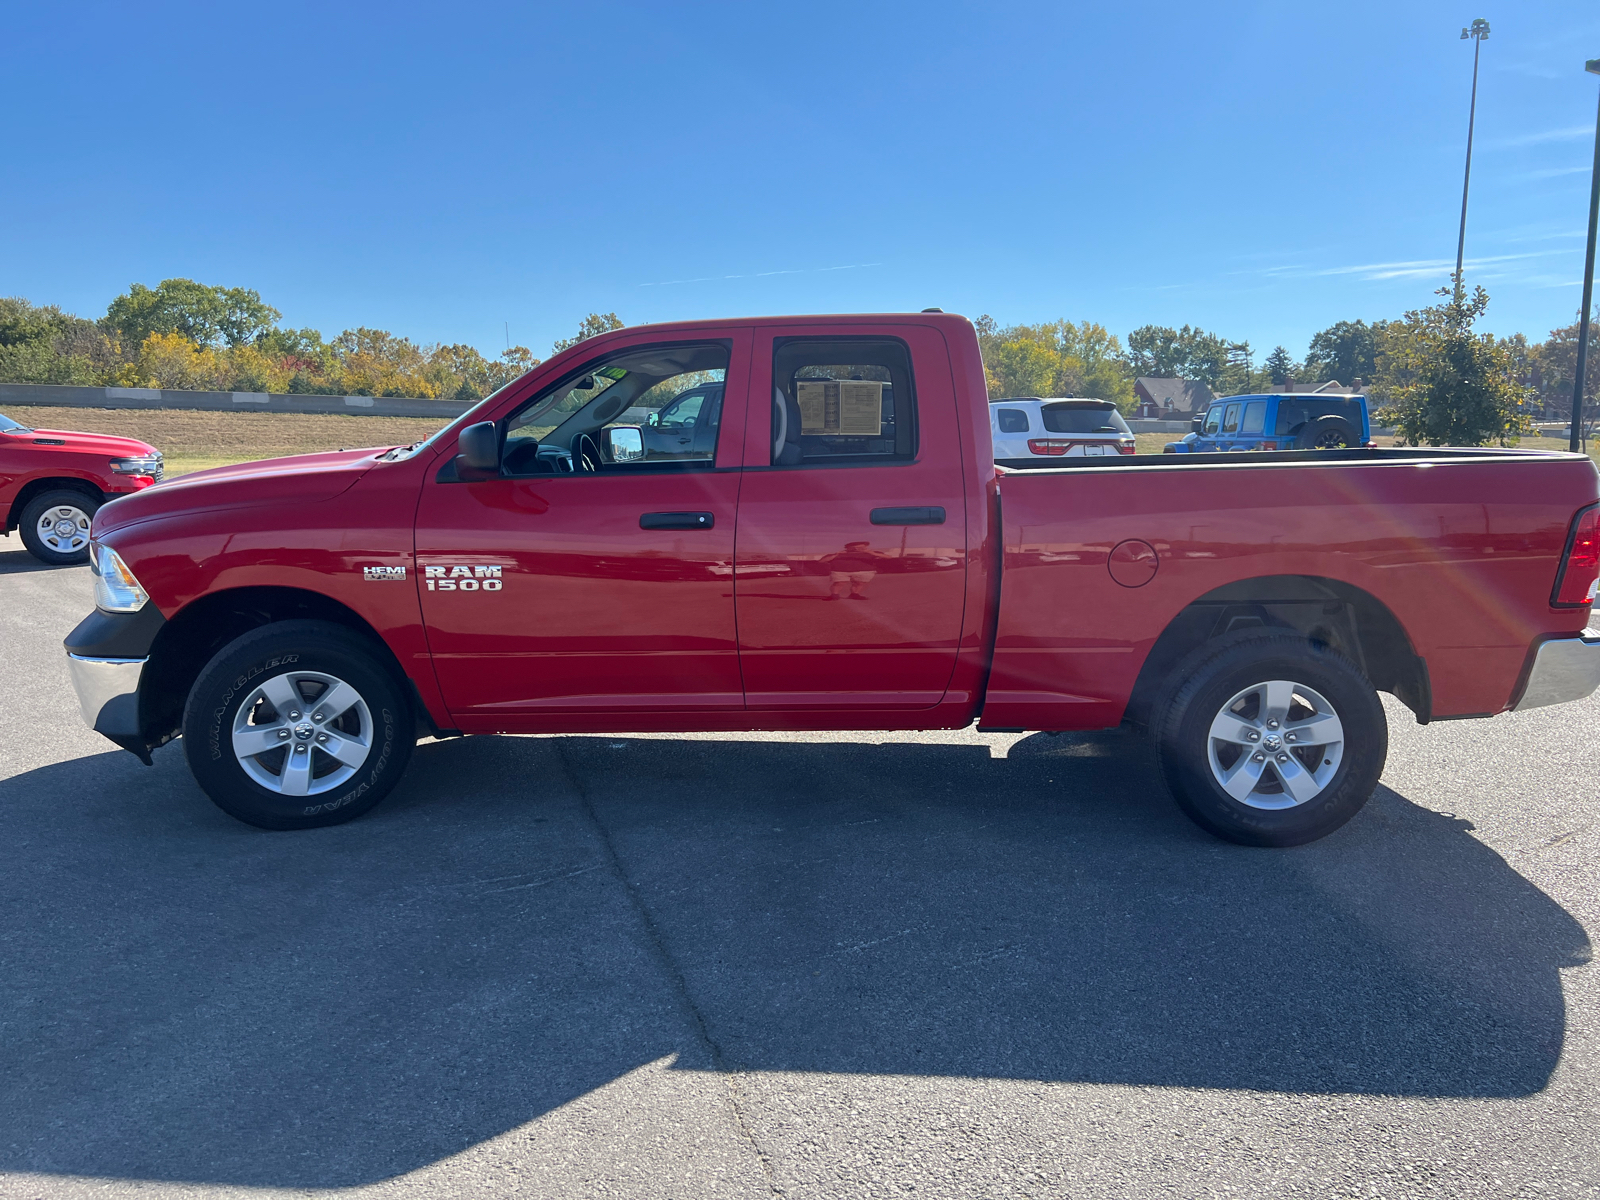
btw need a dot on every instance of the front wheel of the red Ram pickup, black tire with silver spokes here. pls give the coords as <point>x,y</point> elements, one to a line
<point>276,652</point>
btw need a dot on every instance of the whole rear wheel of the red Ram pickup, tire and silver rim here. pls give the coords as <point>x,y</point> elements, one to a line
<point>1271,740</point>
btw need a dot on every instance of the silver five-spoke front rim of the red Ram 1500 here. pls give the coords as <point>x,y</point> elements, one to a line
<point>303,734</point>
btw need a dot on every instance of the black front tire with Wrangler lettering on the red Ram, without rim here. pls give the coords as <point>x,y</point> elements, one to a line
<point>230,681</point>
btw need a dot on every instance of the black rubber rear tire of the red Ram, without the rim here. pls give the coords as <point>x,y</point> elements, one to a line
<point>1185,724</point>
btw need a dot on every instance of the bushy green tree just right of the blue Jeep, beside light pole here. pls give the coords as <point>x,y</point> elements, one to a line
<point>1444,385</point>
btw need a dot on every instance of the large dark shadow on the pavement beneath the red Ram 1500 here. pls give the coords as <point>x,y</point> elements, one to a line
<point>526,921</point>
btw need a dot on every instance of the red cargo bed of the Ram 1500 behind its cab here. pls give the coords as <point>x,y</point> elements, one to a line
<point>1454,540</point>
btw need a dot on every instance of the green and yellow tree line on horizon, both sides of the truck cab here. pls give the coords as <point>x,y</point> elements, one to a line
<point>1428,370</point>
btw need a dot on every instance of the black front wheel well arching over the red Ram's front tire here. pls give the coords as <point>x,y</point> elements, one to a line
<point>194,634</point>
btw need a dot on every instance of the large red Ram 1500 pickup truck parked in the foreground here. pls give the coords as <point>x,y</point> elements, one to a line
<point>844,554</point>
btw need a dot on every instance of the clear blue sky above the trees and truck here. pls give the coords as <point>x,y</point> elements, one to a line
<point>1255,169</point>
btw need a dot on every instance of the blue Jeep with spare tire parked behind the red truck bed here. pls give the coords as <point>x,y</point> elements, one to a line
<point>1282,422</point>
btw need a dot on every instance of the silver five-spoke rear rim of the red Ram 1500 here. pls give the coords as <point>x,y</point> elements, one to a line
<point>1276,745</point>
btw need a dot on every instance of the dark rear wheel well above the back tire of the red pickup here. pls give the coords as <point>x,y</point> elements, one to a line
<point>1329,612</point>
